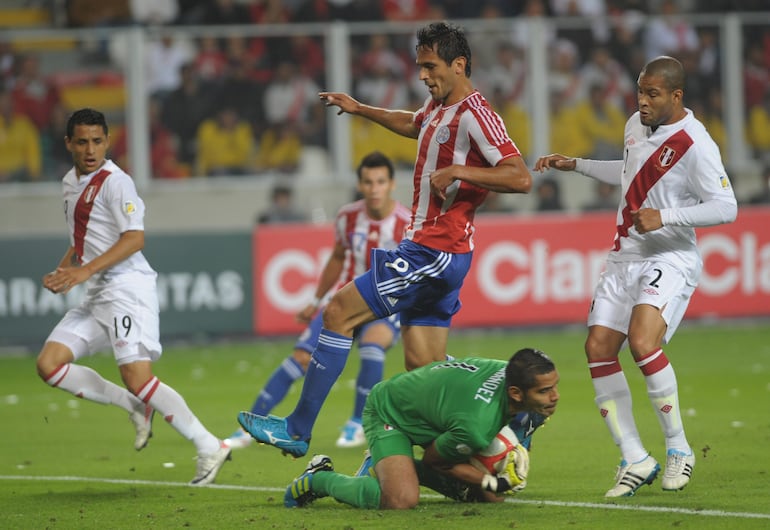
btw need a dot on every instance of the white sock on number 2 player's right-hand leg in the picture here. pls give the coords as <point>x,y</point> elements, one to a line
<point>662,391</point>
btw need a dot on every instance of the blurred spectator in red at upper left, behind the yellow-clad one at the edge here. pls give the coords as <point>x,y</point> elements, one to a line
<point>34,95</point>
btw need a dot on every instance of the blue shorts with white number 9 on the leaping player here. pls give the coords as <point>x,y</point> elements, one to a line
<point>420,283</point>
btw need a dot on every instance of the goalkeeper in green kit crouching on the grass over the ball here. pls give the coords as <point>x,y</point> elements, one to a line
<point>453,410</point>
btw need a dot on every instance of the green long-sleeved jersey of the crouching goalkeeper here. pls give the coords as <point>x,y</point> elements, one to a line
<point>461,404</point>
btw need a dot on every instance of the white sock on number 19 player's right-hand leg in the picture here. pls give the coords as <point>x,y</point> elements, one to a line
<point>175,411</point>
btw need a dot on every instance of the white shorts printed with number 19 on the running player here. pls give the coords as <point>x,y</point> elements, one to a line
<point>124,317</point>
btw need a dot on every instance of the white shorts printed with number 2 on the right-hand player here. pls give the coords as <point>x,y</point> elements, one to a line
<point>624,285</point>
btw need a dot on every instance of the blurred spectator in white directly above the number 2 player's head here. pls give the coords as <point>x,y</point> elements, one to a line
<point>669,33</point>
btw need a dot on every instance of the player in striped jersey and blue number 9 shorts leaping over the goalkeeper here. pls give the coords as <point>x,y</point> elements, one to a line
<point>463,152</point>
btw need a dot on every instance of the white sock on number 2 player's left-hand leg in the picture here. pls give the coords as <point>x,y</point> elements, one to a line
<point>613,398</point>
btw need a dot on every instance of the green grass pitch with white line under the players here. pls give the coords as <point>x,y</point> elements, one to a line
<point>68,463</point>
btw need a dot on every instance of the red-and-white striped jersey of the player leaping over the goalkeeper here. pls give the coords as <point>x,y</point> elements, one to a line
<point>468,133</point>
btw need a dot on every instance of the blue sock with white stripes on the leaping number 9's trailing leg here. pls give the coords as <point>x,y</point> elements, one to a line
<point>326,365</point>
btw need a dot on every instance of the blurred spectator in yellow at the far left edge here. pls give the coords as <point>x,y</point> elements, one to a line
<point>20,155</point>
